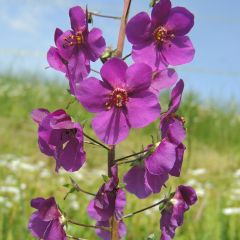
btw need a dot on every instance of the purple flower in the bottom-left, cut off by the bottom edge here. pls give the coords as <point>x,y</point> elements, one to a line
<point>47,222</point>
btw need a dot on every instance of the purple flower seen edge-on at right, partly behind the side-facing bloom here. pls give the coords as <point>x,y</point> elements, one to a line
<point>172,127</point>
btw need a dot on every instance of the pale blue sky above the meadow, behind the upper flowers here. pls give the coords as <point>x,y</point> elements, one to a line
<point>27,28</point>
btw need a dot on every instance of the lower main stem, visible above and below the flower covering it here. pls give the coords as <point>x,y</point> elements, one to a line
<point>114,223</point>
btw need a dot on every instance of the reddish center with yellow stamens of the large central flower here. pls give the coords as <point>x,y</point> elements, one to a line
<point>117,98</point>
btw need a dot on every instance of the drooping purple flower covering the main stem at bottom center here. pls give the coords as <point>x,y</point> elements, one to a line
<point>109,201</point>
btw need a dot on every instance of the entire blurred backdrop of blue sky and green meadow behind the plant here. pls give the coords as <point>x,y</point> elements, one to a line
<point>210,107</point>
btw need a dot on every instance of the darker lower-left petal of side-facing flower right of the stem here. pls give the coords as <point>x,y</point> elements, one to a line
<point>135,182</point>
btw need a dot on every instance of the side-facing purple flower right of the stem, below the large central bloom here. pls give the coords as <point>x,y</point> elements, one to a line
<point>149,176</point>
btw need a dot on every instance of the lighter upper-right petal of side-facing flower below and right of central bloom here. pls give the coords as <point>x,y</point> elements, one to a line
<point>161,161</point>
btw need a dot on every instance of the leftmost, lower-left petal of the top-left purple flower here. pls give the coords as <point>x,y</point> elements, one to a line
<point>56,61</point>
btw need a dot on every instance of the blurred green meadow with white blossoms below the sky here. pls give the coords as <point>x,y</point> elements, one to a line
<point>211,165</point>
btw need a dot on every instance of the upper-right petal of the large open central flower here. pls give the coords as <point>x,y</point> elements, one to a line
<point>138,77</point>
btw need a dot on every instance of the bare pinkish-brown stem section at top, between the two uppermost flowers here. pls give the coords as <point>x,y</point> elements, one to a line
<point>121,36</point>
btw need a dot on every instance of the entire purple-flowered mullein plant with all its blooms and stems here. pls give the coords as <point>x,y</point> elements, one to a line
<point>123,97</point>
